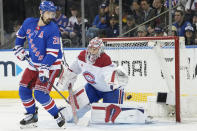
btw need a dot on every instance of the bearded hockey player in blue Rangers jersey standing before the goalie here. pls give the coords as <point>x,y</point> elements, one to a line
<point>44,52</point>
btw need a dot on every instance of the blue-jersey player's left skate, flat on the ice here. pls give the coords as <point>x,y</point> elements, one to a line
<point>30,121</point>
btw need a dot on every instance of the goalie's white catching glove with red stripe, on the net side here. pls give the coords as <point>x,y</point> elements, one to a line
<point>117,79</point>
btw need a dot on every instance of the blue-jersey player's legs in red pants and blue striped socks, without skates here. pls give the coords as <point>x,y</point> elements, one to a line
<point>29,82</point>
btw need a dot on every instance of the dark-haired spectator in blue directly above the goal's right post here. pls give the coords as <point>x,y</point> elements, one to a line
<point>180,23</point>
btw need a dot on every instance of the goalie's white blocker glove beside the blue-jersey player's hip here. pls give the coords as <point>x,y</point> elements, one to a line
<point>67,77</point>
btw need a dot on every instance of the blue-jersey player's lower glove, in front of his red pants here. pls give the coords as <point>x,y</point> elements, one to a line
<point>44,73</point>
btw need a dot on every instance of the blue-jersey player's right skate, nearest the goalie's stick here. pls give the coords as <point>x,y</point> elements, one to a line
<point>61,119</point>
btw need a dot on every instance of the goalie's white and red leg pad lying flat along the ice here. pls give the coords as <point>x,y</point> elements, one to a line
<point>116,113</point>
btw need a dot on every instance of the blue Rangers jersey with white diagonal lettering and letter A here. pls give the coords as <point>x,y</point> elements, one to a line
<point>43,41</point>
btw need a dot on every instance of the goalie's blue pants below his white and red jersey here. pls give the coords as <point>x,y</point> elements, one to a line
<point>115,96</point>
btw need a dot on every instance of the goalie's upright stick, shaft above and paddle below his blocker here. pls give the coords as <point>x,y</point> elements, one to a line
<point>70,91</point>
